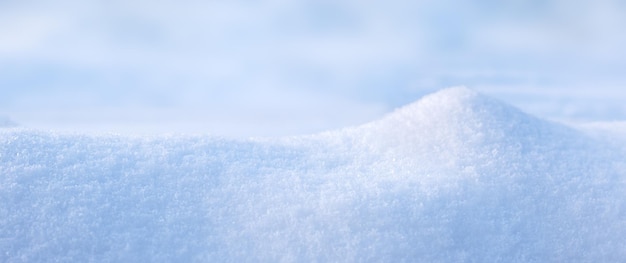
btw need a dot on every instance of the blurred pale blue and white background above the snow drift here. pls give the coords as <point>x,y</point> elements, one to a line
<point>264,68</point>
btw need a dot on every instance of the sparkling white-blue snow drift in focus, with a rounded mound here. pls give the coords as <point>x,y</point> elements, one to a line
<point>454,177</point>
